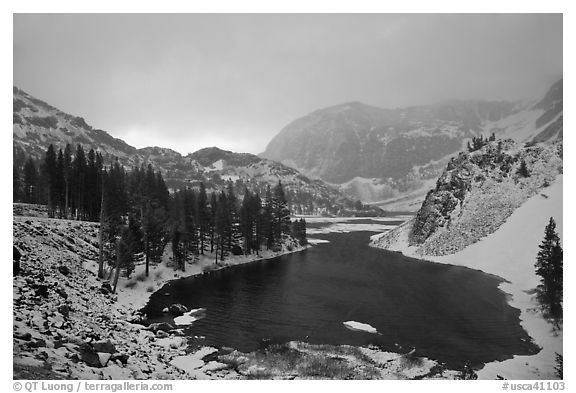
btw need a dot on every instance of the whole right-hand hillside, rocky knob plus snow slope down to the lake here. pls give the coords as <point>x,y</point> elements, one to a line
<point>484,215</point>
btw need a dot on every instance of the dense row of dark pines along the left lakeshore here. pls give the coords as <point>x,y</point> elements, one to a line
<point>139,217</point>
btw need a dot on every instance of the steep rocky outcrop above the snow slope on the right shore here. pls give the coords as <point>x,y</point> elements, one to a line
<point>476,193</point>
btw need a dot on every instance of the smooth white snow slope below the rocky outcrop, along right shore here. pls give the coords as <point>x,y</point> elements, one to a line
<point>510,252</point>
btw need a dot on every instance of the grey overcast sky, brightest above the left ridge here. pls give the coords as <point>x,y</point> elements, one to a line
<point>234,81</point>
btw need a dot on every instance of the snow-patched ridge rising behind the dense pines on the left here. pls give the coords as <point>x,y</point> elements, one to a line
<point>37,124</point>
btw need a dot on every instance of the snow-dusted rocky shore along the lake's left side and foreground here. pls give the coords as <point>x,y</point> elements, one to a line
<point>68,325</point>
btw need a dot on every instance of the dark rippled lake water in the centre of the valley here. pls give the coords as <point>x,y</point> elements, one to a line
<point>448,313</point>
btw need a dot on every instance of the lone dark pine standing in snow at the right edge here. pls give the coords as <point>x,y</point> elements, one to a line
<point>549,263</point>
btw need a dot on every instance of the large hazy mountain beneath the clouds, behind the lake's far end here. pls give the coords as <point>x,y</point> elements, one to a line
<point>378,154</point>
